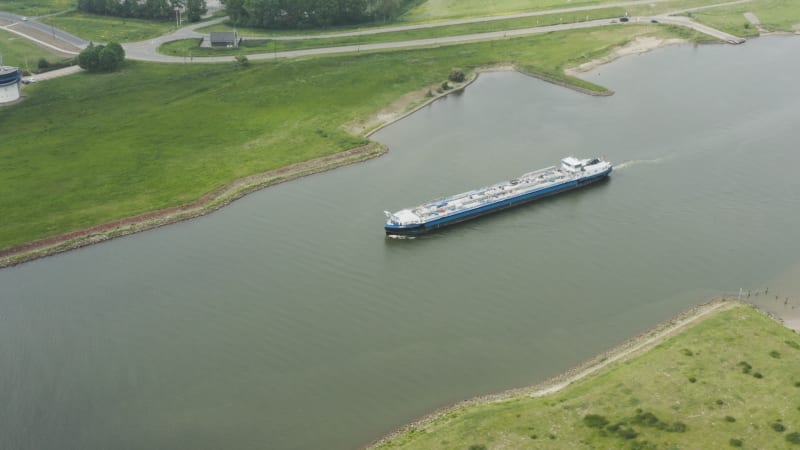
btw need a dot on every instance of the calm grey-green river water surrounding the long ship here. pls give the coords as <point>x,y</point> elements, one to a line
<point>288,320</point>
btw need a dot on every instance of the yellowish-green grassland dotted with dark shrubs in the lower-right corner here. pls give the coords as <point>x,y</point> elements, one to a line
<point>731,380</point>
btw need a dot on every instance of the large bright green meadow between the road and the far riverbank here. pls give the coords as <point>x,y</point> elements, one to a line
<point>89,149</point>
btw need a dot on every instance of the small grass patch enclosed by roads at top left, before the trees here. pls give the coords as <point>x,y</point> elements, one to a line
<point>108,29</point>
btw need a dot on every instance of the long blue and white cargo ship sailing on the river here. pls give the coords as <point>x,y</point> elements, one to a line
<point>430,216</point>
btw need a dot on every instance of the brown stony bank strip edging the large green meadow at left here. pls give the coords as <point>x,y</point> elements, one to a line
<point>206,204</point>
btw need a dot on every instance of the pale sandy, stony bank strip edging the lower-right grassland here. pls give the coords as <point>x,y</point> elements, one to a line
<point>628,349</point>
